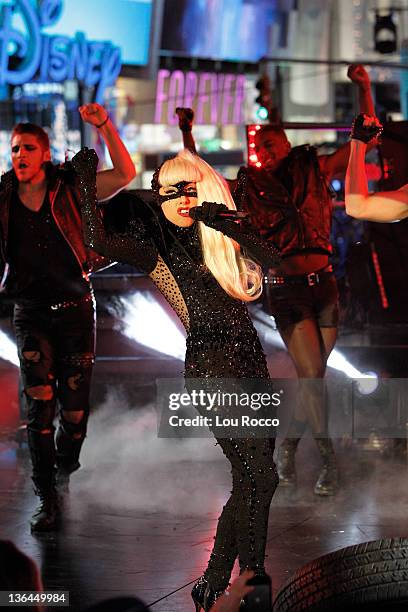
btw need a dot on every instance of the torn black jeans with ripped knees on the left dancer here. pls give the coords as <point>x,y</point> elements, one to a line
<point>56,348</point>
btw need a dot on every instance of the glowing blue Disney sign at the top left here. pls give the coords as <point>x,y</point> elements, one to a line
<point>45,58</point>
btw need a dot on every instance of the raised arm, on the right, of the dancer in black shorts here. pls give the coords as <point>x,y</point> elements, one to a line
<point>335,164</point>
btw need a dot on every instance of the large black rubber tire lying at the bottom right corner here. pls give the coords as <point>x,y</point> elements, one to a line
<point>363,577</point>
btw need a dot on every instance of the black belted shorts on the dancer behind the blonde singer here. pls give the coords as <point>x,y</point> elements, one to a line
<point>290,303</point>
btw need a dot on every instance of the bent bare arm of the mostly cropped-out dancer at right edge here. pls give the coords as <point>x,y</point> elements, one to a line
<point>383,206</point>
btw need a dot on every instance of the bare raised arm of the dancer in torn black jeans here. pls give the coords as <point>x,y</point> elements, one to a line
<point>109,182</point>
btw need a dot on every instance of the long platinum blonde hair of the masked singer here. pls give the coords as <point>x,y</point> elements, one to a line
<point>238,276</point>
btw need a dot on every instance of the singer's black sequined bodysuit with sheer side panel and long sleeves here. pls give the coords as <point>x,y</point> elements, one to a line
<point>221,342</point>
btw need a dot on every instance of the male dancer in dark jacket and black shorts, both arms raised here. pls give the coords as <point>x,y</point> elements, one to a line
<point>289,202</point>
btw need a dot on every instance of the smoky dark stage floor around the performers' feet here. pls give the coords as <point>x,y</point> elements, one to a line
<point>144,524</point>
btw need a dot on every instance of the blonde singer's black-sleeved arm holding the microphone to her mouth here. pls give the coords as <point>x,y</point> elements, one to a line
<point>262,251</point>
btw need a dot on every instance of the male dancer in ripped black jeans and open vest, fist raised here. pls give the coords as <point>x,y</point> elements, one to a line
<point>47,276</point>
